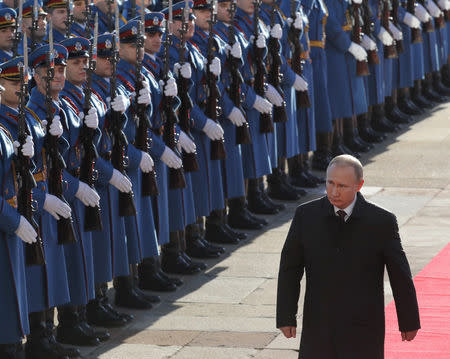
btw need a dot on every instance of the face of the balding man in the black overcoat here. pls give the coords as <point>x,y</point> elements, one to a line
<point>342,185</point>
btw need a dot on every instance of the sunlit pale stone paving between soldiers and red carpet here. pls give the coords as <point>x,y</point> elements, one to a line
<point>229,311</point>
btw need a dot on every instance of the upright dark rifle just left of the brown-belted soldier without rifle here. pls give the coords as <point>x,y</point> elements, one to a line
<point>302,97</point>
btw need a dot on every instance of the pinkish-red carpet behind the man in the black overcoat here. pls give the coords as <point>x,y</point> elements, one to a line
<point>433,293</point>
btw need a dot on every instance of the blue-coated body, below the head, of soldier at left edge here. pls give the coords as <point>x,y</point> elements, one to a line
<point>14,229</point>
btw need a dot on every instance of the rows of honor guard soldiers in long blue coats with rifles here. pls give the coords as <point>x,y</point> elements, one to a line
<point>134,142</point>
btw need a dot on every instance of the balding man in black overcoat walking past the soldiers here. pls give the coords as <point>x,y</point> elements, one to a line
<point>343,243</point>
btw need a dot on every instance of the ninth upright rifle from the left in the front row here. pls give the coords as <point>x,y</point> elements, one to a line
<point>242,132</point>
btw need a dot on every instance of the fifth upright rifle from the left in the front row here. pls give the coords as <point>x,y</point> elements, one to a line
<point>149,184</point>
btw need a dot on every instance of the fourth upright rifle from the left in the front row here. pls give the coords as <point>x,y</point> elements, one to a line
<point>116,121</point>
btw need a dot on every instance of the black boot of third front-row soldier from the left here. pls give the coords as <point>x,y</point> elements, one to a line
<point>70,331</point>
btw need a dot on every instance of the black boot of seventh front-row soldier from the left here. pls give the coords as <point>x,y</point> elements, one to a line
<point>173,261</point>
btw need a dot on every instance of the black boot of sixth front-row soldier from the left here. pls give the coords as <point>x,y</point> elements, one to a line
<point>150,277</point>
